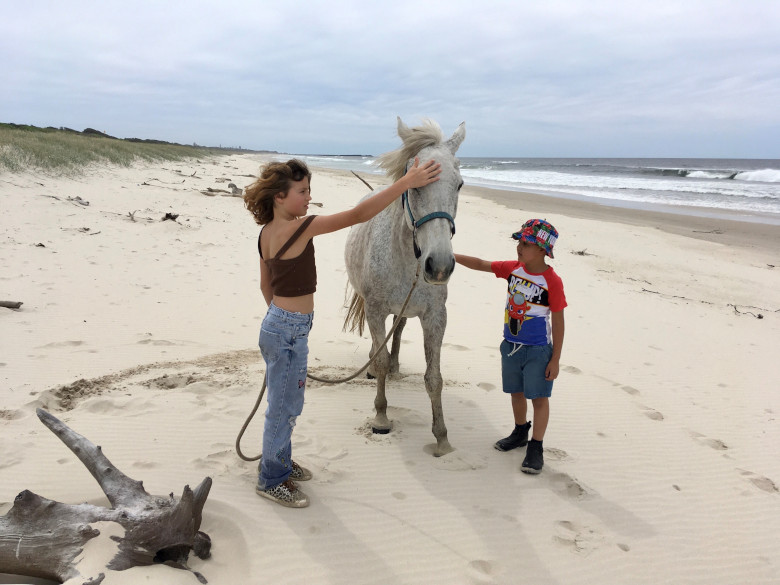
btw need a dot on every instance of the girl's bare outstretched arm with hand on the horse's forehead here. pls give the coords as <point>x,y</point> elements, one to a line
<point>417,176</point>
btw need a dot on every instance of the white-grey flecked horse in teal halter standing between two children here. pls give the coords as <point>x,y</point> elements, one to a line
<point>382,257</point>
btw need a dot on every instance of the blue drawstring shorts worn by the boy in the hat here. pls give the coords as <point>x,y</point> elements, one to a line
<point>523,370</point>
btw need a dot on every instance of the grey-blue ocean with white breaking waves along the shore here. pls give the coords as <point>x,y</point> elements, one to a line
<point>743,189</point>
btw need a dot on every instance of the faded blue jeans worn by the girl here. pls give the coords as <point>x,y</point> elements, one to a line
<point>284,343</point>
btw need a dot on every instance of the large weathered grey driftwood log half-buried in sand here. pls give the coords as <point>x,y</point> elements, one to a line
<point>43,538</point>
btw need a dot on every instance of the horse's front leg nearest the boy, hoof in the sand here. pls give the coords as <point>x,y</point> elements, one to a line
<point>433,334</point>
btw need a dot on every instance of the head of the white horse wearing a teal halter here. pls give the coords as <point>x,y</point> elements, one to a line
<point>430,211</point>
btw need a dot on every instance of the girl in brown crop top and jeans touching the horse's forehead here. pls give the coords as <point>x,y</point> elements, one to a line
<point>279,200</point>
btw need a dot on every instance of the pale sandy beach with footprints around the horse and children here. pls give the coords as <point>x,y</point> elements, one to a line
<point>661,457</point>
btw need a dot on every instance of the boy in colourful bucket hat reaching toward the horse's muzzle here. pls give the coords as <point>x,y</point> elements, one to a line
<point>533,334</point>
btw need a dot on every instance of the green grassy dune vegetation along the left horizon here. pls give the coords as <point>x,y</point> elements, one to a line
<point>62,151</point>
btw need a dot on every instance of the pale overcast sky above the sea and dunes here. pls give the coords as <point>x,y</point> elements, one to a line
<point>552,78</point>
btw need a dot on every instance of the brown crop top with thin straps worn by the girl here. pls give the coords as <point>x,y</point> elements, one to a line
<point>293,277</point>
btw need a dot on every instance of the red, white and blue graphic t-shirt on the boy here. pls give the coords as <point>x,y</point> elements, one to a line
<point>530,299</point>
